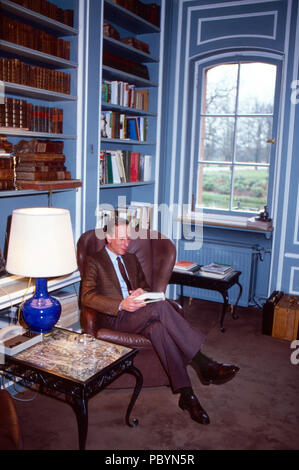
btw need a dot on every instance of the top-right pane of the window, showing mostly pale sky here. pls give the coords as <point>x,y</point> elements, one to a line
<point>257,87</point>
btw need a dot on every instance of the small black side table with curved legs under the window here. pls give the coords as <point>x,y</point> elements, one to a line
<point>204,281</point>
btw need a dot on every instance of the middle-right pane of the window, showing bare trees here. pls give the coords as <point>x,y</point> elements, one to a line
<point>251,139</point>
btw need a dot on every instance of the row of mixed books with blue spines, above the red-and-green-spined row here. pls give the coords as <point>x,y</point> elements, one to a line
<point>116,125</point>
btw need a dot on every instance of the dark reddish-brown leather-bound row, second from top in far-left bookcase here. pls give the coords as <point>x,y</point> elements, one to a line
<point>25,35</point>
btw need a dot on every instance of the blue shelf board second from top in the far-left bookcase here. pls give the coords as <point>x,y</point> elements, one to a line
<point>33,54</point>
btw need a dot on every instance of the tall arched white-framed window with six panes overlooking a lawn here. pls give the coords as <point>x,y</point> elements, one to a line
<point>236,136</point>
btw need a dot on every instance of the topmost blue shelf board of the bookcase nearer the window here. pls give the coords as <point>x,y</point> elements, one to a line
<point>132,22</point>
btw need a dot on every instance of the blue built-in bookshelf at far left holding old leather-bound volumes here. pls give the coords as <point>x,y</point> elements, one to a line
<point>52,64</point>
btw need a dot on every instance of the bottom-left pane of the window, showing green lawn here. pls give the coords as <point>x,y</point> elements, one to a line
<point>214,184</point>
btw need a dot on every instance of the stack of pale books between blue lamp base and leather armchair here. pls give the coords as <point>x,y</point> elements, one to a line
<point>69,308</point>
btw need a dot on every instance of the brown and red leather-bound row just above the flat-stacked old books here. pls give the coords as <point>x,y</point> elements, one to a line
<point>19,114</point>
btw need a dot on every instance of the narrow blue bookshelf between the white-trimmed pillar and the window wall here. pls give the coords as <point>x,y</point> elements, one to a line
<point>128,24</point>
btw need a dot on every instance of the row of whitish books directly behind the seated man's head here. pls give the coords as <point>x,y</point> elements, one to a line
<point>138,213</point>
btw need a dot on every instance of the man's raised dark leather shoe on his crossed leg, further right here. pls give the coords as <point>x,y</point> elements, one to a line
<point>217,373</point>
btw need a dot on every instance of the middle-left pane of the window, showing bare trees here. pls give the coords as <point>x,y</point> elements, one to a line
<point>217,139</point>
